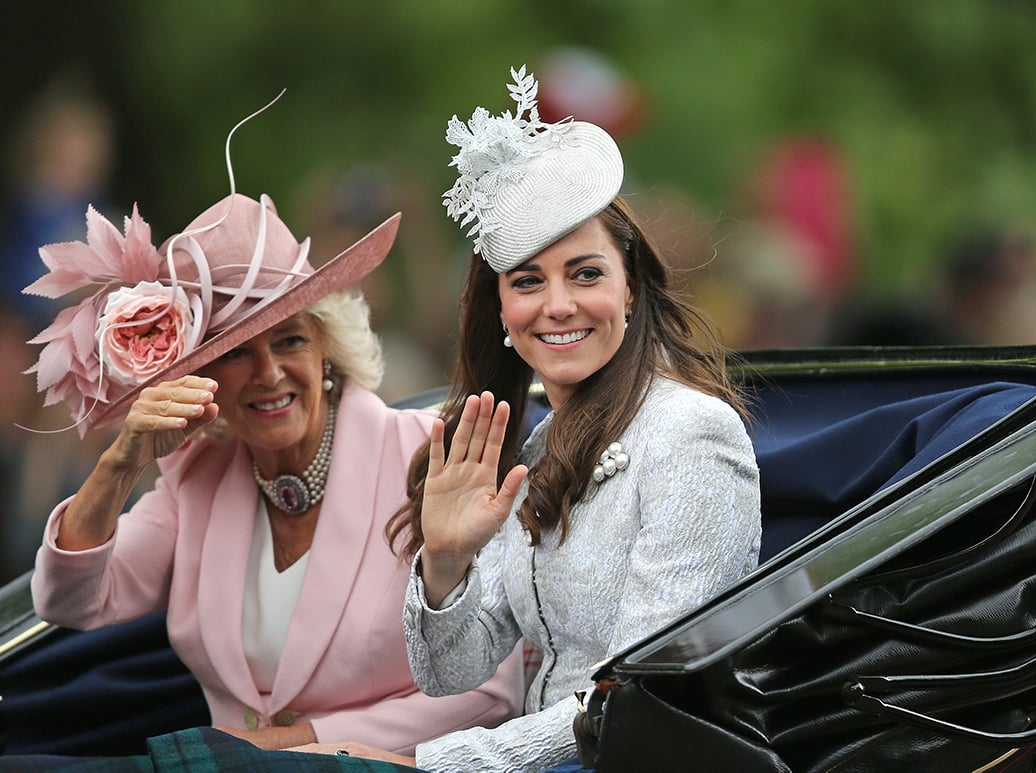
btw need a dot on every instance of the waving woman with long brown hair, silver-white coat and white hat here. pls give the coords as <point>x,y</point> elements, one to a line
<point>634,502</point>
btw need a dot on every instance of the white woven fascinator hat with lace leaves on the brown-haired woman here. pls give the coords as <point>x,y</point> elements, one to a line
<point>523,184</point>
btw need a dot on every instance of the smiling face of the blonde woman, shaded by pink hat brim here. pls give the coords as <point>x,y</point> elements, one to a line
<point>271,394</point>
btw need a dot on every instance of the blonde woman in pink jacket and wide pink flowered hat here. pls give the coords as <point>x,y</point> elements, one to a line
<point>264,536</point>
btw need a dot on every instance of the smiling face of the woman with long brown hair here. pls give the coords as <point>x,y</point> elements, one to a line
<point>565,308</point>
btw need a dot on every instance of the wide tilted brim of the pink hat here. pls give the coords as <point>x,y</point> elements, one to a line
<point>342,271</point>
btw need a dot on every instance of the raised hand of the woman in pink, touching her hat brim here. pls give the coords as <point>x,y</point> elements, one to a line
<point>163,418</point>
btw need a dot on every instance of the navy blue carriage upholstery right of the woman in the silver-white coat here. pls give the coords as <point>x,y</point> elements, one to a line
<point>824,447</point>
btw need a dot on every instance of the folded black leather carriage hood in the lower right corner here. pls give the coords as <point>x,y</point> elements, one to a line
<point>900,637</point>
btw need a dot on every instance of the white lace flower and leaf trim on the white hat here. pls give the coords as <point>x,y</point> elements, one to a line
<point>495,150</point>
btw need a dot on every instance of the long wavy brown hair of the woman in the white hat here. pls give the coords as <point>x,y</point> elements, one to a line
<point>666,335</point>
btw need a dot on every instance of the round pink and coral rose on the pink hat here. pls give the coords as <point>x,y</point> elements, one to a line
<point>143,330</point>
